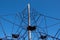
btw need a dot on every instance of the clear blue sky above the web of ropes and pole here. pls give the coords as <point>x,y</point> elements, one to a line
<point>46,7</point>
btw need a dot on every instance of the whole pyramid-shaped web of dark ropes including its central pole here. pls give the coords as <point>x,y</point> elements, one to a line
<point>29,25</point>
